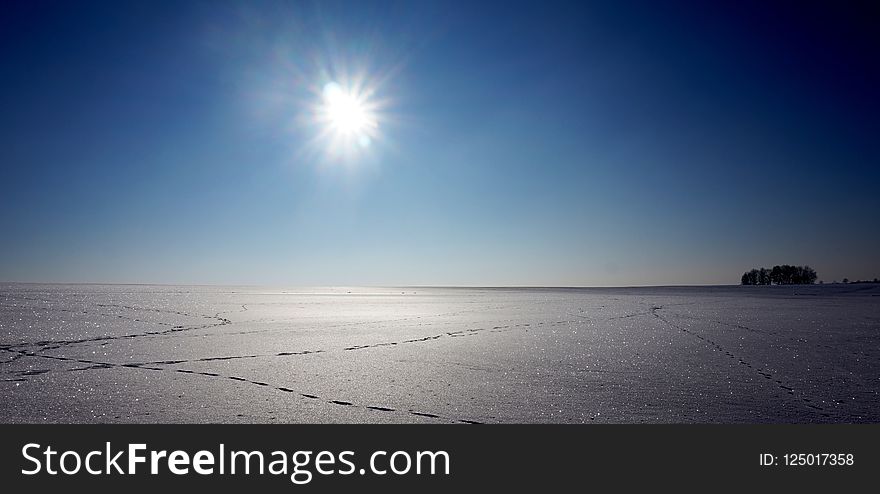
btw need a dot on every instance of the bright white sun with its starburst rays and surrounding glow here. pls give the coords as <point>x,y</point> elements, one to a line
<point>333,113</point>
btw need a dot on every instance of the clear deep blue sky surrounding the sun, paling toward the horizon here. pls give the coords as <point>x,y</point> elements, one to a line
<point>521,143</point>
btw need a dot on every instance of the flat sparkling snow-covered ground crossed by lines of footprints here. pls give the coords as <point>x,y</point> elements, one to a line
<point>92,353</point>
